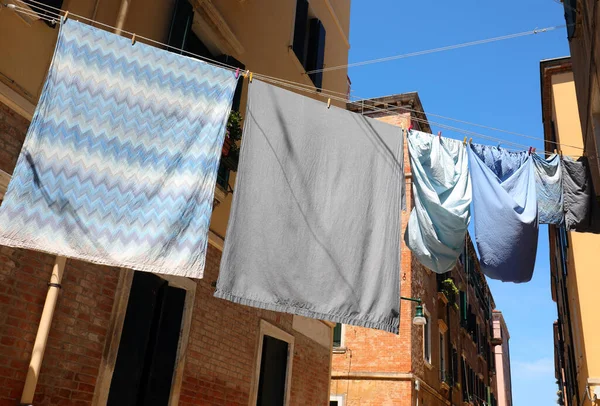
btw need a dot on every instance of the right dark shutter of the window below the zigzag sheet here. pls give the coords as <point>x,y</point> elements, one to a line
<point>160,365</point>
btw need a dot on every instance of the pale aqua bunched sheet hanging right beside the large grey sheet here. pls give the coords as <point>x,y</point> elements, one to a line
<point>442,196</point>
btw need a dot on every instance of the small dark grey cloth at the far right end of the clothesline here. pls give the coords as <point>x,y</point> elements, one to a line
<point>582,213</point>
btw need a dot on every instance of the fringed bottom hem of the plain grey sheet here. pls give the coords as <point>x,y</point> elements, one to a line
<point>389,327</point>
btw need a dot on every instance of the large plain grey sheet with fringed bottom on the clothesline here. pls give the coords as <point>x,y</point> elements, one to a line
<point>314,228</point>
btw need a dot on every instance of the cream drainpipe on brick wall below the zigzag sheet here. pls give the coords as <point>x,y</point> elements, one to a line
<point>41,338</point>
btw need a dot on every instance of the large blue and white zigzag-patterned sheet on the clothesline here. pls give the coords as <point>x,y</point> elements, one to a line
<point>119,163</point>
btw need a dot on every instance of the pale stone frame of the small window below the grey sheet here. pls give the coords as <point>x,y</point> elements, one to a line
<point>269,329</point>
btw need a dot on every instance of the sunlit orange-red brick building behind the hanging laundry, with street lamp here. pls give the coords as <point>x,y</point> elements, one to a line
<point>455,364</point>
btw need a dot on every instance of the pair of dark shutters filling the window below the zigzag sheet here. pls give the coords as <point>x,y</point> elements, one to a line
<point>147,353</point>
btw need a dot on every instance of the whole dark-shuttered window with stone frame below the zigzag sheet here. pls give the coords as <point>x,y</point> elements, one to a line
<point>145,357</point>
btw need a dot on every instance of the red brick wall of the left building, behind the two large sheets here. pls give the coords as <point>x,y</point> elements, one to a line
<point>220,360</point>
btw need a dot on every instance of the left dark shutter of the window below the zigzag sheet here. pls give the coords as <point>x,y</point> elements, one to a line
<point>135,337</point>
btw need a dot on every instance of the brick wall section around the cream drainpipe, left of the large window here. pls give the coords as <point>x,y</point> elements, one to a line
<point>76,340</point>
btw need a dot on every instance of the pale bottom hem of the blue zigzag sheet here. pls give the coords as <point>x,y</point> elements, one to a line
<point>9,242</point>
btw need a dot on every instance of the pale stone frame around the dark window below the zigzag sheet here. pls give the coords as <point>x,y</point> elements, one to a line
<point>117,320</point>
